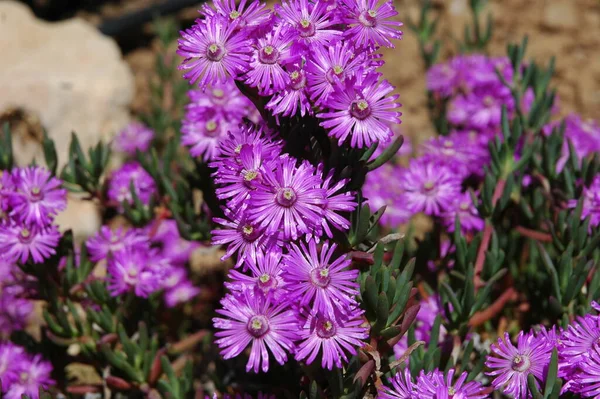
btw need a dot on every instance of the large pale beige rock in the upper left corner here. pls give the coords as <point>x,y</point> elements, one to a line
<point>67,73</point>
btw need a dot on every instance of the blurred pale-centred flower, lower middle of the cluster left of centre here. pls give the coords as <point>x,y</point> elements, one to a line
<point>130,272</point>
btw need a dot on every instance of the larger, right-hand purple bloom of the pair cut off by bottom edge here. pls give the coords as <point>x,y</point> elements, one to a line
<point>430,384</point>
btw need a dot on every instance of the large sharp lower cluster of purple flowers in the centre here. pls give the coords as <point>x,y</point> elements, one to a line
<point>290,296</point>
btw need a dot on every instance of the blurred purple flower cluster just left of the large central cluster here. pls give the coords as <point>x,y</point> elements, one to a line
<point>143,261</point>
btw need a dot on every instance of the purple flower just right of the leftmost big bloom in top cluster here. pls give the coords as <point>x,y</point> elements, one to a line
<point>266,71</point>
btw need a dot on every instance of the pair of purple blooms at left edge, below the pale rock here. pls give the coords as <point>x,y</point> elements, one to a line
<point>30,199</point>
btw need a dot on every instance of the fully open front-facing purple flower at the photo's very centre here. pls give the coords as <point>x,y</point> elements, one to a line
<point>289,200</point>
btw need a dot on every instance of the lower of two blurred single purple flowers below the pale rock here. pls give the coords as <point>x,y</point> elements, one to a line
<point>132,173</point>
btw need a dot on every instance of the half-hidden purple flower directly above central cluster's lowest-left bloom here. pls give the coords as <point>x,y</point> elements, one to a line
<point>266,275</point>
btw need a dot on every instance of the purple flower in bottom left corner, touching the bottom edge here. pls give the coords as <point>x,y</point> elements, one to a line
<point>33,374</point>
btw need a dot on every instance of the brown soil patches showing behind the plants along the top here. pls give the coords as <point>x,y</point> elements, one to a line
<point>567,29</point>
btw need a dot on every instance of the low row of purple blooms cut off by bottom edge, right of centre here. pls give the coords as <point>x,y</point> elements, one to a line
<point>432,385</point>
